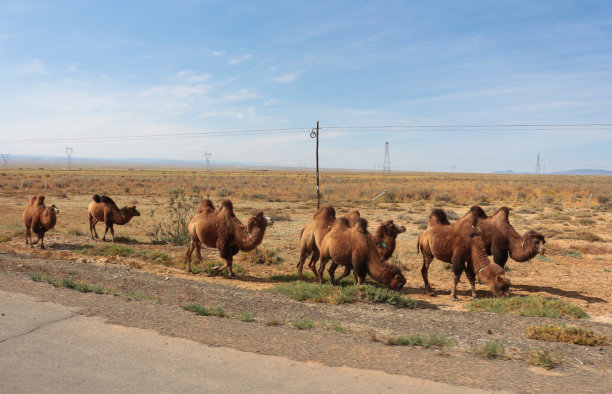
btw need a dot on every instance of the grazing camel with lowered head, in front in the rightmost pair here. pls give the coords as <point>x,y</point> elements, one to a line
<point>461,245</point>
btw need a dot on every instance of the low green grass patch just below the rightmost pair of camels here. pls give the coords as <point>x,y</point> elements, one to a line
<point>529,306</point>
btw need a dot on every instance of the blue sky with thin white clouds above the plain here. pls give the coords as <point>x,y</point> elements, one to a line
<point>82,69</point>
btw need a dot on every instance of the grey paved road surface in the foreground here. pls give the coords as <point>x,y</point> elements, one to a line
<point>46,347</point>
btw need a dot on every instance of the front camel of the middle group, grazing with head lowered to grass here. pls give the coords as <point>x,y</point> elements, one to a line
<point>353,246</point>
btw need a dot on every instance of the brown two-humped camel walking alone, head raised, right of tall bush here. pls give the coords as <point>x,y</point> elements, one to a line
<point>219,228</point>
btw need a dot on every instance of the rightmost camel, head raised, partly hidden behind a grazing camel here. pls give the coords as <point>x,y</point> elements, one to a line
<point>501,239</point>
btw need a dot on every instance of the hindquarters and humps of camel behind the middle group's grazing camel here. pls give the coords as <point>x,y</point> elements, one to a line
<point>312,235</point>
